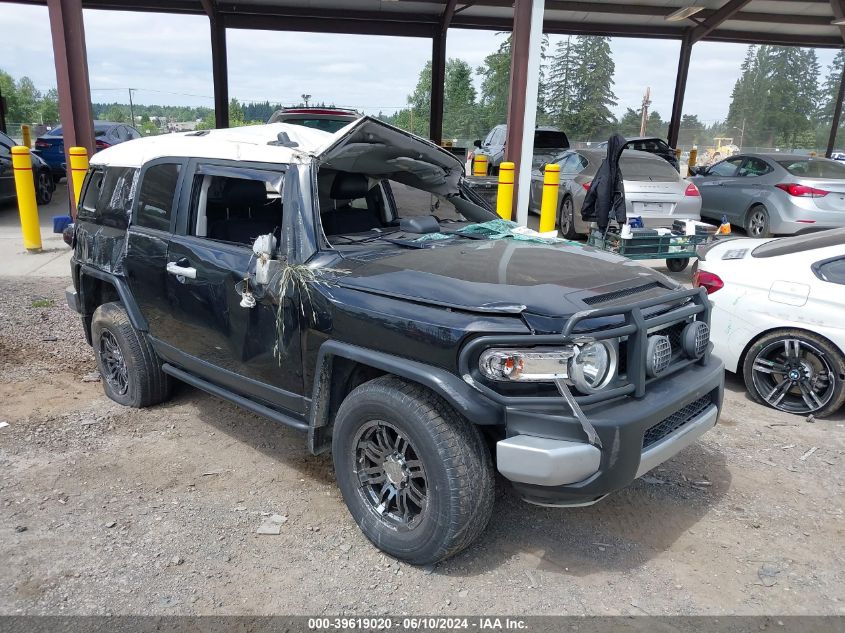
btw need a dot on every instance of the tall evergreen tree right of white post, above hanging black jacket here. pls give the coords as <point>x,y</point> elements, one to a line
<point>592,89</point>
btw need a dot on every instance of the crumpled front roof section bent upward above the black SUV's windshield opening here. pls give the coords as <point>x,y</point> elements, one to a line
<point>377,149</point>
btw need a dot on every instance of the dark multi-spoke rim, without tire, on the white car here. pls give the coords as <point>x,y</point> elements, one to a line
<point>794,375</point>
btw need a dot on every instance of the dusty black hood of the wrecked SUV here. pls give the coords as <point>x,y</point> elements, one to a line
<point>505,275</point>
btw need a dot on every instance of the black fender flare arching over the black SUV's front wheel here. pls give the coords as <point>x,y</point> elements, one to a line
<point>469,402</point>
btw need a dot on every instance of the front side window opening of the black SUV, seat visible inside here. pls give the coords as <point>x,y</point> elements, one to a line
<point>236,210</point>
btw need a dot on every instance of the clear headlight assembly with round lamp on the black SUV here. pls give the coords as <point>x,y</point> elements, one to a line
<point>589,366</point>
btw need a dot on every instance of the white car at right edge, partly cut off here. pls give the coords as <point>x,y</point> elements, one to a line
<point>779,317</point>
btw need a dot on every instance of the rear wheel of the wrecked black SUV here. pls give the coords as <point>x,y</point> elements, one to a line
<point>130,369</point>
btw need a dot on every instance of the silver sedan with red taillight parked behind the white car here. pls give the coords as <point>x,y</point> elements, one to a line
<point>772,194</point>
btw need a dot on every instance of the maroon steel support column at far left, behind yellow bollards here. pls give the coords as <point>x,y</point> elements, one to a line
<point>68,31</point>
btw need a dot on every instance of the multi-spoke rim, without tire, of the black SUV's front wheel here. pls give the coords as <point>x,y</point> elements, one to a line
<point>392,478</point>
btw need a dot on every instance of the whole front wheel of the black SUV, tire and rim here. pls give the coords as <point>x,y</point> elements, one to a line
<point>415,475</point>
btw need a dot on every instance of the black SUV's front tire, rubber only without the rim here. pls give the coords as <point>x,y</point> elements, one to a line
<point>459,470</point>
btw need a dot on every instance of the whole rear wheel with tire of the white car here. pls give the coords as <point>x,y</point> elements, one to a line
<point>796,372</point>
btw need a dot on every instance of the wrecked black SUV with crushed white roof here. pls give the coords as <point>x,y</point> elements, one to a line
<point>348,286</point>
